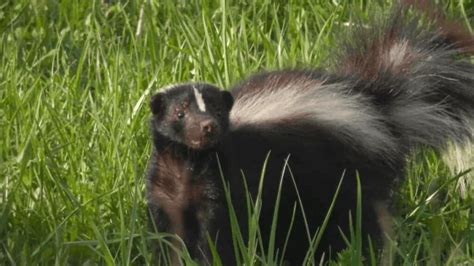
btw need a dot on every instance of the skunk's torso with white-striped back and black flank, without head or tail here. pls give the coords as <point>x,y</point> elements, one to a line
<point>350,138</point>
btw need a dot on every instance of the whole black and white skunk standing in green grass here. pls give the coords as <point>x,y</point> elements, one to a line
<point>392,88</point>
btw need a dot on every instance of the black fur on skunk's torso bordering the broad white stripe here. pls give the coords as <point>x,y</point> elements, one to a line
<point>318,160</point>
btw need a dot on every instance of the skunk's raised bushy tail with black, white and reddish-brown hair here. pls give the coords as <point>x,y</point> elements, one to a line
<point>417,68</point>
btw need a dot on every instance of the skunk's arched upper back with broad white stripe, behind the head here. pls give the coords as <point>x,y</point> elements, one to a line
<point>295,105</point>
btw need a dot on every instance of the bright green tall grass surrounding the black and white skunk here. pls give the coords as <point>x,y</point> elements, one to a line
<point>75,78</point>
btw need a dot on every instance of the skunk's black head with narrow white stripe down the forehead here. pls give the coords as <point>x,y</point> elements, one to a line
<point>193,114</point>
